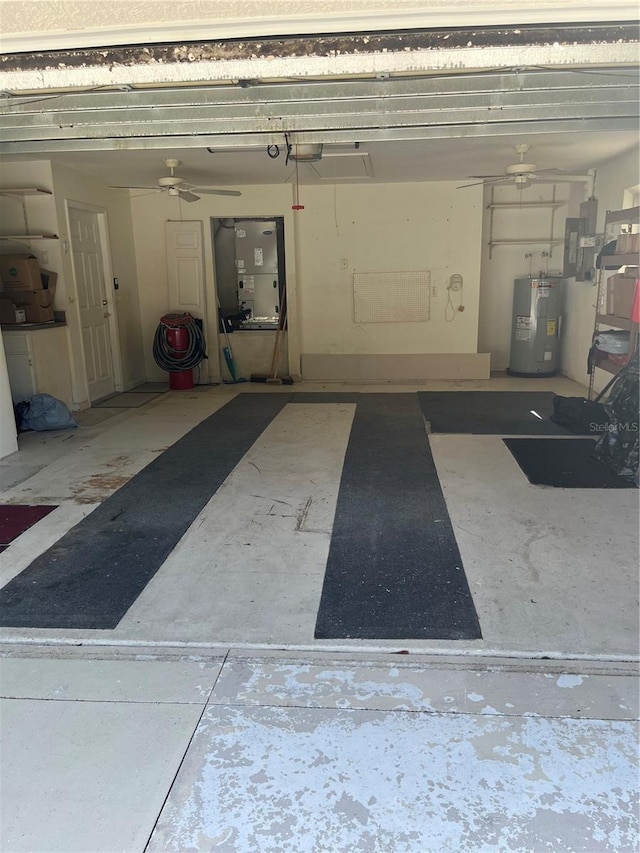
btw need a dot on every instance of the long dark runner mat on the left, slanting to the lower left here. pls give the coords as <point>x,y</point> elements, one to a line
<point>95,572</point>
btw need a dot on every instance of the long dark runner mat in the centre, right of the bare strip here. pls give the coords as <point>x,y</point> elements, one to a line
<point>394,570</point>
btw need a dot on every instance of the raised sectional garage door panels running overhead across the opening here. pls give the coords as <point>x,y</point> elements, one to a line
<point>333,111</point>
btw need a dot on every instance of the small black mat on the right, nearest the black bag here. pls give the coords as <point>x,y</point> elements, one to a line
<point>564,463</point>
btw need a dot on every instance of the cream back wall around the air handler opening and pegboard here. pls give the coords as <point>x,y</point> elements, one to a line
<point>380,227</point>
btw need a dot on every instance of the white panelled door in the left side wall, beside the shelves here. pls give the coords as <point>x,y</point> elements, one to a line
<point>94,314</point>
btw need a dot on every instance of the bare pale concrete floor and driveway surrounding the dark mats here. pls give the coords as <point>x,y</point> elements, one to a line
<point>210,718</point>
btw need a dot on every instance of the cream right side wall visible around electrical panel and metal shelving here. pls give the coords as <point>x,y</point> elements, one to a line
<point>613,178</point>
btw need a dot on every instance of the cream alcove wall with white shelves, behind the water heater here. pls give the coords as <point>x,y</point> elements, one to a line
<point>503,263</point>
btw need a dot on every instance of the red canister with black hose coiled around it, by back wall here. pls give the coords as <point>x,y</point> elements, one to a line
<point>178,347</point>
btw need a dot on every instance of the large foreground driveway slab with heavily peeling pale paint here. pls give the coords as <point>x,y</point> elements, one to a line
<point>274,779</point>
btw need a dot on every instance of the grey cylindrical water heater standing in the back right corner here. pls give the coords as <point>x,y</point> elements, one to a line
<point>535,331</point>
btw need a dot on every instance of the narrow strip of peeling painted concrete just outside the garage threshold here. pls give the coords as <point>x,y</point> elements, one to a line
<point>428,687</point>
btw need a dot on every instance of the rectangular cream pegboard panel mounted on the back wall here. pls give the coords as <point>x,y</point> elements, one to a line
<point>391,297</point>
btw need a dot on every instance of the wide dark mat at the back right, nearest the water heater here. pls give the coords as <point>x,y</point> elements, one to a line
<point>490,412</point>
